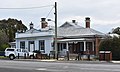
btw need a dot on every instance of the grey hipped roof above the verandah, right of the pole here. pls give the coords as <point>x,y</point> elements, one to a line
<point>71,29</point>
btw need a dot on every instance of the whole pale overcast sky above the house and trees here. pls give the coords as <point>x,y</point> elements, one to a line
<point>104,14</point>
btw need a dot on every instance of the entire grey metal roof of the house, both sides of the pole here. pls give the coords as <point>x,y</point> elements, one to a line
<point>69,29</point>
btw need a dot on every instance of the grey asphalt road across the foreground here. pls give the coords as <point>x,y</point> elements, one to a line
<point>32,66</point>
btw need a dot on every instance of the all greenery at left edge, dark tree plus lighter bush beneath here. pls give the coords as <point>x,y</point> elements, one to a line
<point>8,28</point>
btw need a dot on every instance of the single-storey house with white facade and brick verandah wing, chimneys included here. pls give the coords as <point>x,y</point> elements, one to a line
<point>71,37</point>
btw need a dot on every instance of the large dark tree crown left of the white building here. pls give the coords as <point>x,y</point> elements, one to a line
<point>11,26</point>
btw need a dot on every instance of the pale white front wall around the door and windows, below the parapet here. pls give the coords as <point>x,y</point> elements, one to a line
<point>48,42</point>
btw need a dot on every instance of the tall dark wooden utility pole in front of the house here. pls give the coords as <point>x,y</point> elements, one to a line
<point>56,50</point>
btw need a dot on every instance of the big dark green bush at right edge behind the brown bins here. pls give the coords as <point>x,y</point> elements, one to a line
<point>113,45</point>
